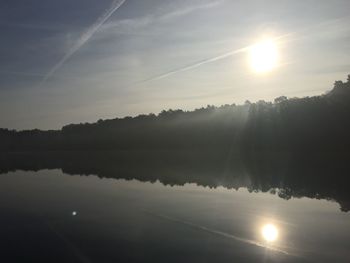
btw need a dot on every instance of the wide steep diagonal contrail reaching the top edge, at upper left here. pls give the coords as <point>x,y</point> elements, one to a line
<point>85,37</point>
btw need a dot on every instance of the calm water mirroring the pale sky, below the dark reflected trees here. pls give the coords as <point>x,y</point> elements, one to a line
<point>49,216</point>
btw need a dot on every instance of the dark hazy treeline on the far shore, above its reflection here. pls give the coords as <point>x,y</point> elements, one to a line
<point>295,124</point>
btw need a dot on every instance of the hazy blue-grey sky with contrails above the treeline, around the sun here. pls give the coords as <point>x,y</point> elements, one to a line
<point>79,61</point>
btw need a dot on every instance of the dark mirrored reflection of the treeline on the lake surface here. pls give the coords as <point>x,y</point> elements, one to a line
<point>318,175</point>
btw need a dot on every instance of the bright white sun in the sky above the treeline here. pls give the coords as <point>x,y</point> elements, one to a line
<point>263,56</point>
